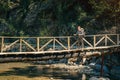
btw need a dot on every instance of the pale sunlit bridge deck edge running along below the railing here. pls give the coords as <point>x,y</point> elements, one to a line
<point>62,51</point>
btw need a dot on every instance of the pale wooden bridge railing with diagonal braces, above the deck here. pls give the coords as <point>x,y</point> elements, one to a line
<point>42,44</point>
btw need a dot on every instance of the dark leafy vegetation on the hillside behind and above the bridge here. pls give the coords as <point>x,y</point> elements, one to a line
<point>58,17</point>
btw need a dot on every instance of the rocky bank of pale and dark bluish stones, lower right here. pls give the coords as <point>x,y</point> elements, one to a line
<point>92,67</point>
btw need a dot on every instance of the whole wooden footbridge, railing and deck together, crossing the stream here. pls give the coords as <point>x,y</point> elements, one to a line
<point>93,45</point>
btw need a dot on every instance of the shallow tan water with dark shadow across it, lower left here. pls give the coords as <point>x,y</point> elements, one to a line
<point>28,71</point>
